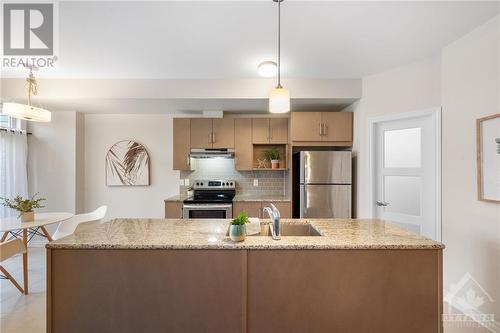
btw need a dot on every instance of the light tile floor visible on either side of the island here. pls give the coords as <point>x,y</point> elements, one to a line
<point>26,314</point>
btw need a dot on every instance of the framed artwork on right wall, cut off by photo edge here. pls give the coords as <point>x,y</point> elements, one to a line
<point>488,158</point>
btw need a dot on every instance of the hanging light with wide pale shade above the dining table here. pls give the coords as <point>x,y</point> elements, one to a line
<point>27,112</point>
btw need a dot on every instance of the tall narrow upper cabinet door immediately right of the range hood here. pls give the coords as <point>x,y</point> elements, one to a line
<point>243,148</point>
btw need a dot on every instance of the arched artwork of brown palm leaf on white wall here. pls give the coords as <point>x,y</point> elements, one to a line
<point>127,164</point>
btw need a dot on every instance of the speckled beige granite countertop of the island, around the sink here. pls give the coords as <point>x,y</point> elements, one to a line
<point>211,234</point>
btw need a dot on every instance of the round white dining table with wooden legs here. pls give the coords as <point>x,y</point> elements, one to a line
<point>13,227</point>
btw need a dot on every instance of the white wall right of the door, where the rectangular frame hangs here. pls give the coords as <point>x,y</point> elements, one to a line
<point>470,90</point>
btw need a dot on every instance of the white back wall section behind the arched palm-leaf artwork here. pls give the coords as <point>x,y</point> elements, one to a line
<point>155,132</point>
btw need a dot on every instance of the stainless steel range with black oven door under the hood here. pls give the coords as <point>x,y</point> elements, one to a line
<point>212,199</point>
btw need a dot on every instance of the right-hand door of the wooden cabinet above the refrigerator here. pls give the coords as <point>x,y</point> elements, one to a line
<point>337,126</point>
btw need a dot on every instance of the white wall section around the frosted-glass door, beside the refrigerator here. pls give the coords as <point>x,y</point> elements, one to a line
<point>412,87</point>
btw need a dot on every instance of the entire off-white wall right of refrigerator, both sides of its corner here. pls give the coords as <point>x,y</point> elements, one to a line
<point>464,79</point>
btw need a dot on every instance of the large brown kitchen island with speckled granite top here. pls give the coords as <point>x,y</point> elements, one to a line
<point>153,275</point>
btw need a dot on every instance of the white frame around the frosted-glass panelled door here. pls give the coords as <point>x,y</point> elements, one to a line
<point>435,114</point>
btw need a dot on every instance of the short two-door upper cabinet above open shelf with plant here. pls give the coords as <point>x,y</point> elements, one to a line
<point>270,130</point>
